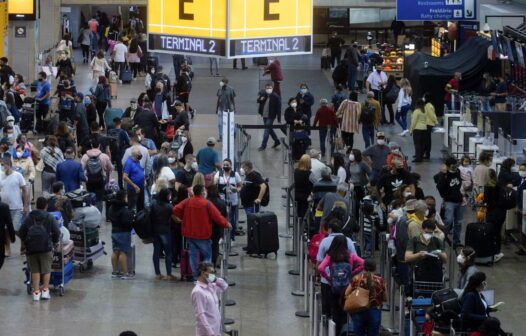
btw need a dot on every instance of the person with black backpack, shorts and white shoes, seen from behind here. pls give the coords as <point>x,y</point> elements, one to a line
<point>39,247</point>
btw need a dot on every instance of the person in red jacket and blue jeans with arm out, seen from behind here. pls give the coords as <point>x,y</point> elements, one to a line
<point>197,214</point>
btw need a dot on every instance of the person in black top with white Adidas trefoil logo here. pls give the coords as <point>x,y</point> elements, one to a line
<point>391,181</point>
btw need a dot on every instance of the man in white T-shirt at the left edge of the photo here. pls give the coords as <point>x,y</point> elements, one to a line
<point>14,193</point>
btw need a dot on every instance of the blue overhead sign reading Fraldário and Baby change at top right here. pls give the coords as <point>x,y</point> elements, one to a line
<point>436,10</point>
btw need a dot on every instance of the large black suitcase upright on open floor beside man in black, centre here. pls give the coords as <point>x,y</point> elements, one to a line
<point>262,233</point>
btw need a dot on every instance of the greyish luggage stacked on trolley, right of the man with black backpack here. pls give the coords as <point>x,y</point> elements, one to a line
<point>84,229</point>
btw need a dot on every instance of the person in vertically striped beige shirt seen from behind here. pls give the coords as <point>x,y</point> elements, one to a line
<point>348,115</point>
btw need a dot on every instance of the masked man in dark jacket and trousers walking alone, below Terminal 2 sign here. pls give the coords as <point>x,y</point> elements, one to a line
<point>269,109</point>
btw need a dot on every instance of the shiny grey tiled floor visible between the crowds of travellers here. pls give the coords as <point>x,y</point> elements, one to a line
<point>96,305</point>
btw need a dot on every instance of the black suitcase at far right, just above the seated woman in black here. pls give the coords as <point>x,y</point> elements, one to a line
<point>480,237</point>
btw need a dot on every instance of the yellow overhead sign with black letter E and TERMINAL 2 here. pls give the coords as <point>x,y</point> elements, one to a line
<point>230,28</point>
